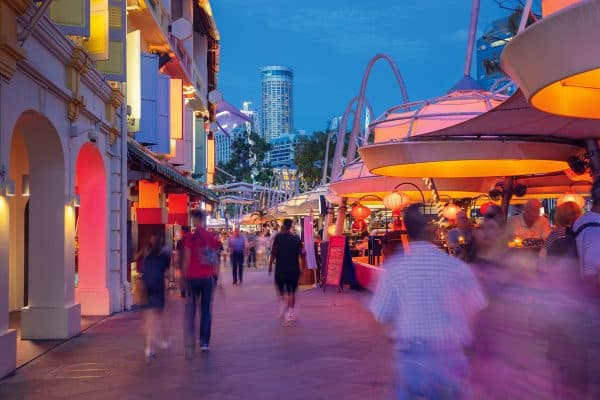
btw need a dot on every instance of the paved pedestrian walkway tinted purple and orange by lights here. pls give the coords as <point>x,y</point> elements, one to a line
<point>335,351</point>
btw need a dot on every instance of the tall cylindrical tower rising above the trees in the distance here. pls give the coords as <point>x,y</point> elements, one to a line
<point>277,112</point>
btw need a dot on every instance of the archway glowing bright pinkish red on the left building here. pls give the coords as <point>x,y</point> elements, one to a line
<point>91,261</point>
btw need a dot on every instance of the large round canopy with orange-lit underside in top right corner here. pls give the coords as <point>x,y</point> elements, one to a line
<point>556,61</point>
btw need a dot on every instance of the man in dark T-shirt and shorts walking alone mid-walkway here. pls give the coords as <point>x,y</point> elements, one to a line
<point>286,250</point>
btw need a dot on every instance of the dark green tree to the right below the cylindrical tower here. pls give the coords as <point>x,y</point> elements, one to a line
<point>310,156</point>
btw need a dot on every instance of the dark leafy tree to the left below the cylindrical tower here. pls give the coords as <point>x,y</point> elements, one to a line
<point>247,162</point>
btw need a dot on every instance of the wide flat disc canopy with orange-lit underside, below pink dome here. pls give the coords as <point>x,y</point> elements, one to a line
<point>466,157</point>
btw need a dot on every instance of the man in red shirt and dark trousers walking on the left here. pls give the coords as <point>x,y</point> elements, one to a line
<point>200,260</point>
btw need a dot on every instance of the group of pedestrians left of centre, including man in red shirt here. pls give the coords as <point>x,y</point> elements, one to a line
<point>198,257</point>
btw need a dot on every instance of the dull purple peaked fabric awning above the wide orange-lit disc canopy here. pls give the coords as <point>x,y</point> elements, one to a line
<point>515,117</point>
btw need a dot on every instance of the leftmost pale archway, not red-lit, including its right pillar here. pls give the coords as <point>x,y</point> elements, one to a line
<point>38,168</point>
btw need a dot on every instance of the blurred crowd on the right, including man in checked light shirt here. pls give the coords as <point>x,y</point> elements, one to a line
<point>494,321</point>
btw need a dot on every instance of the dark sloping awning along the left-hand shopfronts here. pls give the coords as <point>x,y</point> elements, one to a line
<point>137,153</point>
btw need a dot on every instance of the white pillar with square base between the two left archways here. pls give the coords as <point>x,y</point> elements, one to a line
<point>52,312</point>
